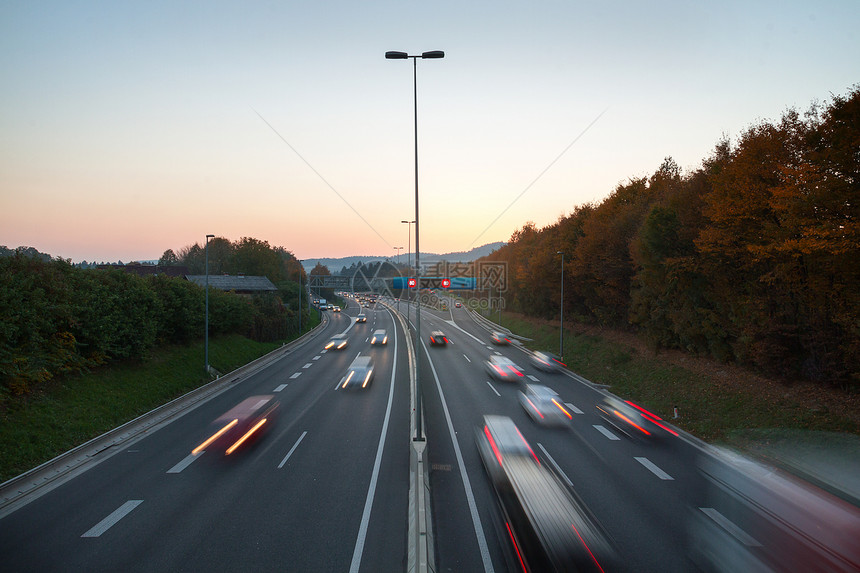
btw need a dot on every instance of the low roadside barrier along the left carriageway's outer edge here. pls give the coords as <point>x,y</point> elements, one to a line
<point>21,489</point>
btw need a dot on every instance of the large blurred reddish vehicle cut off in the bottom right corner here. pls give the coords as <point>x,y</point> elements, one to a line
<point>776,522</point>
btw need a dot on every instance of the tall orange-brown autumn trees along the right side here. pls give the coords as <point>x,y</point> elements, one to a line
<point>752,258</point>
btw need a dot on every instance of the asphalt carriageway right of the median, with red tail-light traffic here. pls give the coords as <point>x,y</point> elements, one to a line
<point>640,491</point>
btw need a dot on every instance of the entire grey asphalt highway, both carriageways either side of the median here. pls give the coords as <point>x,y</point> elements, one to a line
<point>327,487</point>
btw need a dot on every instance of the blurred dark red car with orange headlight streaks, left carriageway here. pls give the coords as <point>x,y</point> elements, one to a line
<point>241,425</point>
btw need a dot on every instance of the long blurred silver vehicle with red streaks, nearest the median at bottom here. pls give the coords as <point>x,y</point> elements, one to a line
<point>548,525</point>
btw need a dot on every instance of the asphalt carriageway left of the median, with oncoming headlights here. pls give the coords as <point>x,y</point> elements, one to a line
<point>325,490</point>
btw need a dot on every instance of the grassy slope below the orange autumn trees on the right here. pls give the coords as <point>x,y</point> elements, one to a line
<point>711,406</point>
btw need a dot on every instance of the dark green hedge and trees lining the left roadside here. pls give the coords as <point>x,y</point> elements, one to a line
<point>60,319</point>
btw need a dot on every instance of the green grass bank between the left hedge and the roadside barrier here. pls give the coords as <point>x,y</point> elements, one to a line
<point>79,408</point>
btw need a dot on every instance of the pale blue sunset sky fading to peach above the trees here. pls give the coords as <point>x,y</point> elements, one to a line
<point>127,128</point>
